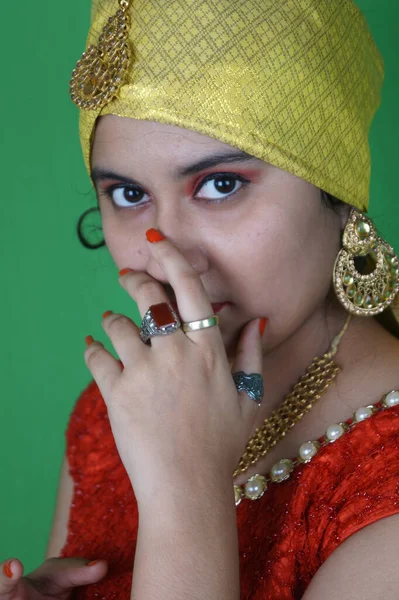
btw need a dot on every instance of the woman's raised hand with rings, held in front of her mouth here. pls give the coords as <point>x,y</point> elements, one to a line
<point>173,407</point>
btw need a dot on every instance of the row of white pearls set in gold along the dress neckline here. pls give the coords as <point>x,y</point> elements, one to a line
<point>257,485</point>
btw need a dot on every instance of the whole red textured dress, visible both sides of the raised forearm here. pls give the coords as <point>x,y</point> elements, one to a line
<point>284,537</point>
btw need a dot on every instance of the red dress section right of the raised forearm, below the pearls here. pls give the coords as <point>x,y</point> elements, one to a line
<point>350,482</point>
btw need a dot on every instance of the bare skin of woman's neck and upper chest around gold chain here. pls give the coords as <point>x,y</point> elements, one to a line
<point>368,357</point>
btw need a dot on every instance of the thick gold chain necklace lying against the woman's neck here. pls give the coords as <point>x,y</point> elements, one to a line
<point>310,387</point>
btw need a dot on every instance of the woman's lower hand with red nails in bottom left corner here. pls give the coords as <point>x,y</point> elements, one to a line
<point>55,578</point>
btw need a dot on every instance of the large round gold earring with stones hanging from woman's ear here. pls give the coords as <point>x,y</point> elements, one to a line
<point>370,293</point>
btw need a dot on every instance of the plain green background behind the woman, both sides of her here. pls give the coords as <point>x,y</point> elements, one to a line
<point>54,291</point>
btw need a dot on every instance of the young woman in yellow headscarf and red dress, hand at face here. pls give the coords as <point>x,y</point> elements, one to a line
<point>218,458</point>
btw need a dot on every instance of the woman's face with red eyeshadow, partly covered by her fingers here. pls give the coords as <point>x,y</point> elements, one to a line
<point>260,238</point>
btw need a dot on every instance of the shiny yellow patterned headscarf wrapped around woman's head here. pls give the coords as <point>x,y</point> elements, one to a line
<point>295,83</point>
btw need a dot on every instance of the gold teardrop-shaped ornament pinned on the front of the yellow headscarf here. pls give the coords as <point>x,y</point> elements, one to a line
<point>102,70</point>
